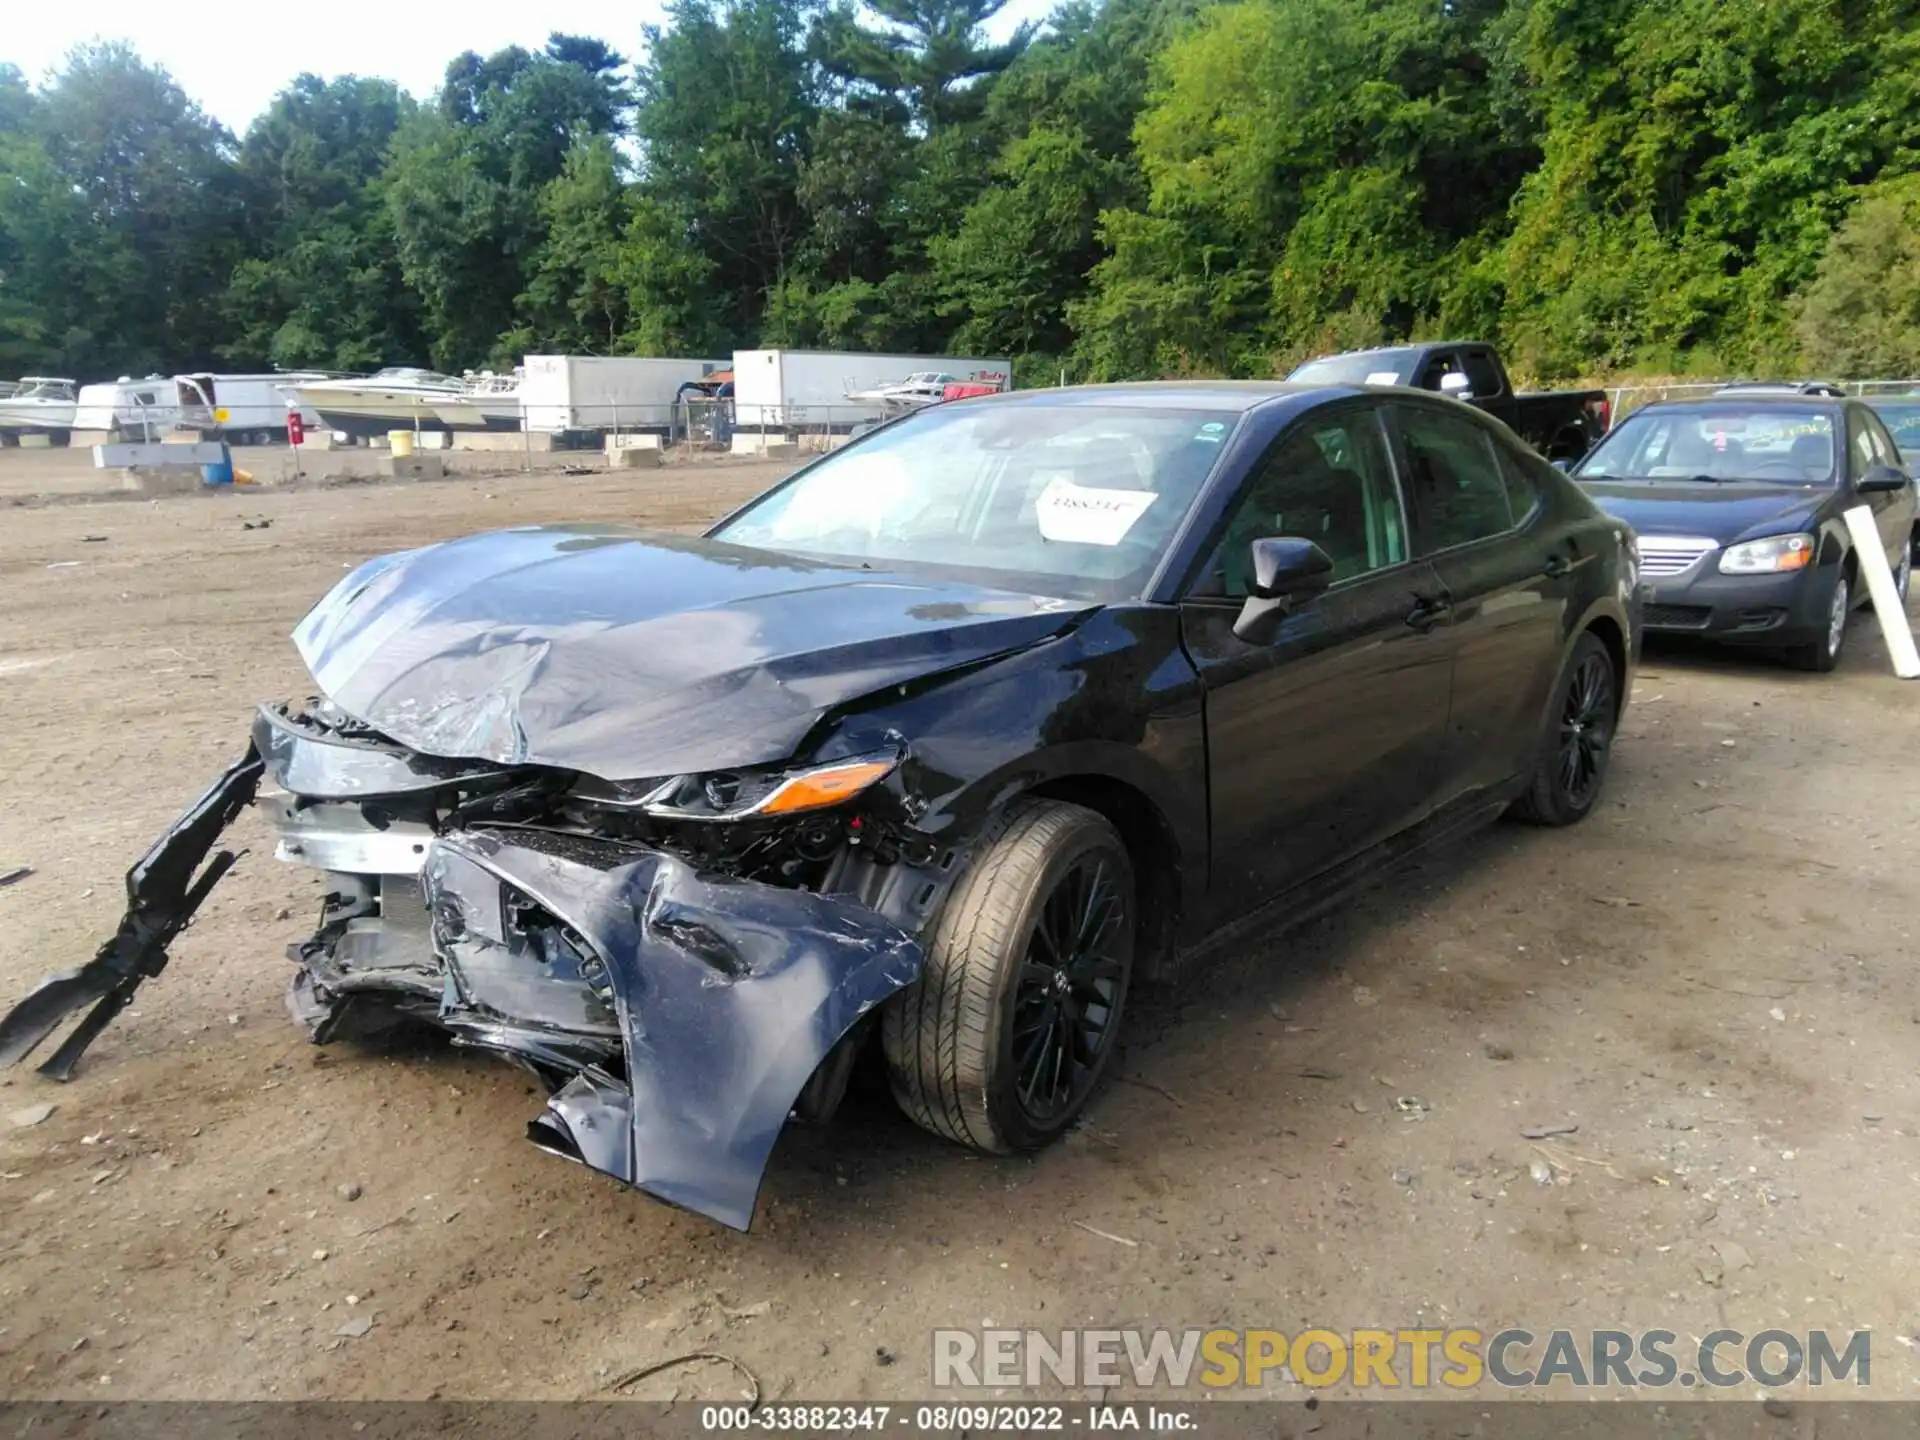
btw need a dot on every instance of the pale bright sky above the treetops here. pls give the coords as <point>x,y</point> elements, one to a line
<point>235,57</point>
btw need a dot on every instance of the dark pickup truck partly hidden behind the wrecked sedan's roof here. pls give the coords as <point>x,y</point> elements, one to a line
<point>1560,423</point>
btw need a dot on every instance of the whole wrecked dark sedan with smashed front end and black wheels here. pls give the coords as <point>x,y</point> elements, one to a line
<point>938,748</point>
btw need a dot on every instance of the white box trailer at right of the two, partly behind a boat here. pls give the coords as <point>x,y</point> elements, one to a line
<point>815,389</point>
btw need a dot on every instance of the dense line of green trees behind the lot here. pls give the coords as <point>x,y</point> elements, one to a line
<point>1141,187</point>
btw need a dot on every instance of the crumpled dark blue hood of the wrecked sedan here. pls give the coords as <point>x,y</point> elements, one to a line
<point>629,656</point>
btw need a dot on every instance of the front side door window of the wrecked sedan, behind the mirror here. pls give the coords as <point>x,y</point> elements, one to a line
<point>1328,483</point>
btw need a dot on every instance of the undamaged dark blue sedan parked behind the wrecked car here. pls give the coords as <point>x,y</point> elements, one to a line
<point>1739,506</point>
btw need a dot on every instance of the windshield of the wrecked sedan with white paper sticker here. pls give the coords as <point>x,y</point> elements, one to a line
<point>1055,500</point>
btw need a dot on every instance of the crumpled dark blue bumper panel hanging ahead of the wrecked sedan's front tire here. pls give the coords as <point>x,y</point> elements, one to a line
<point>729,997</point>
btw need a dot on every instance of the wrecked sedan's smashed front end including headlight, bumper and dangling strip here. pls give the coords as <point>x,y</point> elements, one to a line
<point>681,961</point>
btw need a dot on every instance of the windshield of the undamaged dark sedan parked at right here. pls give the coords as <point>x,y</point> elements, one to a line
<point>1717,443</point>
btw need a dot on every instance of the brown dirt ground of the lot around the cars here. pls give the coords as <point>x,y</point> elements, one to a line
<point>1714,978</point>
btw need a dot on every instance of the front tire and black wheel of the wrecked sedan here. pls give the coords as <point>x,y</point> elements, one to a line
<point>1017,1011</point>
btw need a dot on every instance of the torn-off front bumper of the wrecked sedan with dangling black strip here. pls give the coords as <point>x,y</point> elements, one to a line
<point>675,1015</point>
